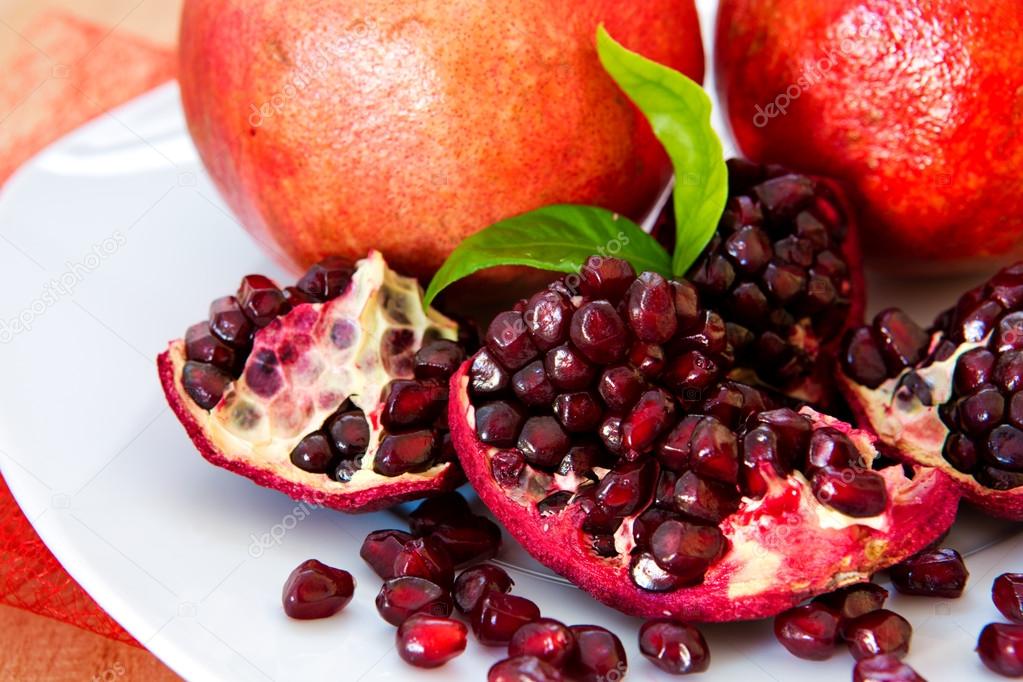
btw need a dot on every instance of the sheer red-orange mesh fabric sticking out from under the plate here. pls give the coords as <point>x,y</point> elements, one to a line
<point>65,73</point>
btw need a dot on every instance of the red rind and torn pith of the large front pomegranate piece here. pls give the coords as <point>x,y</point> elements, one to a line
<point>737,588</point>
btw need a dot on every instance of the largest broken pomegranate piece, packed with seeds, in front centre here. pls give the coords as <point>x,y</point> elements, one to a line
<point>695,496</point>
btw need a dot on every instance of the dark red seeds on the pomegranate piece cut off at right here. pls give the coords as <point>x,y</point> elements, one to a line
<point>985,415</point>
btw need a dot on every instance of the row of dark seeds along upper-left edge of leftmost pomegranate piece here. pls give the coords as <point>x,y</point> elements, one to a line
<point>216,350</point>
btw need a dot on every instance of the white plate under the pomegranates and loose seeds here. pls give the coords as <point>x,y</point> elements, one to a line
<point>113,242</point>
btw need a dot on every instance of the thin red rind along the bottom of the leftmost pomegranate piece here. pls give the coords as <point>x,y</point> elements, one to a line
<point>375,498</point>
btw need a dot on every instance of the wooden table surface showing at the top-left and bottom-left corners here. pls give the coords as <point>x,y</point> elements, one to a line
<point>33,648</point>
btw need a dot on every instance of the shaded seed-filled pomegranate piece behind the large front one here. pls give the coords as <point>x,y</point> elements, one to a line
<point>784,274</point>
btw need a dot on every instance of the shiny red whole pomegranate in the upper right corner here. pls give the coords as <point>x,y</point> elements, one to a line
<point>916,107</point>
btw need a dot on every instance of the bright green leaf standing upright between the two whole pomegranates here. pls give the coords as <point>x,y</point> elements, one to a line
<point>679,111</point>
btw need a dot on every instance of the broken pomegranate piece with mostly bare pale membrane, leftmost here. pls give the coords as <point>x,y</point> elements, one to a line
<point>333,392</point>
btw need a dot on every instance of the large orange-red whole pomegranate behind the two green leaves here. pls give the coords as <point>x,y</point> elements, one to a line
<point>333,127</point>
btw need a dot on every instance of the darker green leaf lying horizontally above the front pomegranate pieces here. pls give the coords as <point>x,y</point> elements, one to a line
<point>557,238</point>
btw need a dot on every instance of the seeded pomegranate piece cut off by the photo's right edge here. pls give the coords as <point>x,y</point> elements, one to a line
<point>952,397</point>
